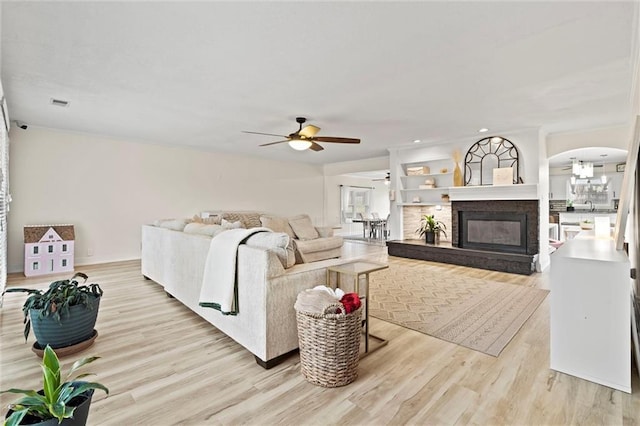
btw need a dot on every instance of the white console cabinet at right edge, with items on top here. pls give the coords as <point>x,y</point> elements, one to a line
<point>590,311</point>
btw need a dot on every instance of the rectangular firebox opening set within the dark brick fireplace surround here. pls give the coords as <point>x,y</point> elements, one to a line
<point>494,231</point>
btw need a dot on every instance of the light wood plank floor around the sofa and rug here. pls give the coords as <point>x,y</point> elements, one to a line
<point>164,365</point>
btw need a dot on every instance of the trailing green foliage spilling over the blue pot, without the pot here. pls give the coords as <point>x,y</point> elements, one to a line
<point>57,300</point>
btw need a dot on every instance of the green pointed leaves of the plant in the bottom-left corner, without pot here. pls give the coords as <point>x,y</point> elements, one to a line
<point>54,401</point>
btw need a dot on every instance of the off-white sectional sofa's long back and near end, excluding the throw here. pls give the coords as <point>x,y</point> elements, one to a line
<point>268,284</point>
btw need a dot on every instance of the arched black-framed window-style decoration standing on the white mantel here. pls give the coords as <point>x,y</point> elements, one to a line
<point>487,154</point>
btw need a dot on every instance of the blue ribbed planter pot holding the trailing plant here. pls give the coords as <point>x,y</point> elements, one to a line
<point>73,328</point>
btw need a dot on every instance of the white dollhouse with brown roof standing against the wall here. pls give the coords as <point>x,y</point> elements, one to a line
<point>48,249</point>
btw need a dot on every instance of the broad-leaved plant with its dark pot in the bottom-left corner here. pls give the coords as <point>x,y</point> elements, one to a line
<point>58,402</point>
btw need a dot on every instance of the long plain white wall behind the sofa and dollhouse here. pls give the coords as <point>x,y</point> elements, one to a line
<point>108,187</point>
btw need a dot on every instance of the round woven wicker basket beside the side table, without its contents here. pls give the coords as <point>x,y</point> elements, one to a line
<point>329,347</point>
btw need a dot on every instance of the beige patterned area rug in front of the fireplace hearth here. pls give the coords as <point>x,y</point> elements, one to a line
<point>476,313</point>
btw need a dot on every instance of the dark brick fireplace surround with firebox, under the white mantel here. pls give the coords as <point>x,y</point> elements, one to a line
<point>507,226</point>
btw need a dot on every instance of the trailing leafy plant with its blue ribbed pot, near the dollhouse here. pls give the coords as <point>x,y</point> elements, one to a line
<point>64,315</point>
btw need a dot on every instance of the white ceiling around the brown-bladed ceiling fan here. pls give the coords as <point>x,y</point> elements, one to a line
<point>197,74</point>
